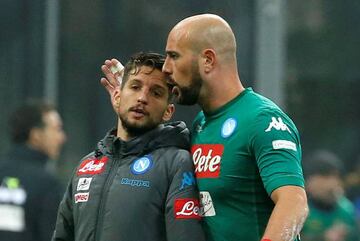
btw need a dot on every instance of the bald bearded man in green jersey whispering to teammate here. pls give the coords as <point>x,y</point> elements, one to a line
<point>246,150</point>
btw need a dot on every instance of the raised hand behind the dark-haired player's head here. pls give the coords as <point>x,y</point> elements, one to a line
<point>112,79</point>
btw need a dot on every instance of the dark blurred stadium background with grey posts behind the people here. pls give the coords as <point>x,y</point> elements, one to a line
<point>302,54</point>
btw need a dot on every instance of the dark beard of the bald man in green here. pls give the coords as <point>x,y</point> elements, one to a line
<point>190,95</point>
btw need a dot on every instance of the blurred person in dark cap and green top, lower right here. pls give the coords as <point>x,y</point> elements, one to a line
<point>332,215</point>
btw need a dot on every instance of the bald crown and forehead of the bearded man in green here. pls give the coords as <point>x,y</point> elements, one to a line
<point>206,31</point>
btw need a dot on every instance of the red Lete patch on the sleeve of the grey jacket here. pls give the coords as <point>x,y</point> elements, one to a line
<point>186,208</point>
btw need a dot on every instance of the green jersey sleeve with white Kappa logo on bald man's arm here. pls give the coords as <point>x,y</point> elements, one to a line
<point>276,145</point>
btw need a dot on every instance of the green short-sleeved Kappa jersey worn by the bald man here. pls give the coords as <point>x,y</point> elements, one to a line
<point>242,152</point>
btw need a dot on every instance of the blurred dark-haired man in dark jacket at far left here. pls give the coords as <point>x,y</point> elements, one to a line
<point>29,193</point>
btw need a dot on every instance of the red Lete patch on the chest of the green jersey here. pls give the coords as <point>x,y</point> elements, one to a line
<point>207,160</point>
